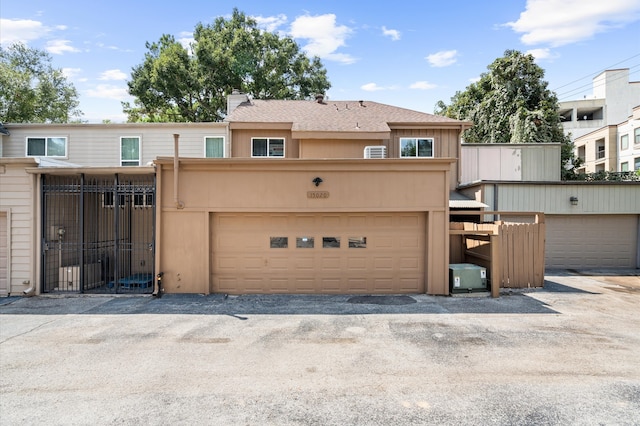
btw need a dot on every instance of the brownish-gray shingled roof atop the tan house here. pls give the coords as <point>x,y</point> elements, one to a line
<point>332,116</point>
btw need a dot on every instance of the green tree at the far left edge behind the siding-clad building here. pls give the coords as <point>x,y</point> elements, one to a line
<point>32,91</point>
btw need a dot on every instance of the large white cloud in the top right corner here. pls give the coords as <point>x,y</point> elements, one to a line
<point>561,22</point>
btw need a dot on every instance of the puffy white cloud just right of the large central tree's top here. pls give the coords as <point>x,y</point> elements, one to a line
<point>324,36</point>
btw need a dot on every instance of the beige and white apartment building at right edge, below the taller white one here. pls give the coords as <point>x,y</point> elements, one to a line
<point>613,148</point>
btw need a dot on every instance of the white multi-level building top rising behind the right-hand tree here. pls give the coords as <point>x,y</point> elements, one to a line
<point>614,97</point>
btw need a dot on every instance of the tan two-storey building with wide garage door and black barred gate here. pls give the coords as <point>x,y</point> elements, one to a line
<point>285,196</point>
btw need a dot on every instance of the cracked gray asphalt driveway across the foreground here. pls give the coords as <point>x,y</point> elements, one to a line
<point>565,354</point>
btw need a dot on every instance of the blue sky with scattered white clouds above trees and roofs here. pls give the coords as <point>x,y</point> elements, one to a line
<point>404,53</point>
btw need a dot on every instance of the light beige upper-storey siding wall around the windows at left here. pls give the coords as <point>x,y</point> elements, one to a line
<point>99,144</point>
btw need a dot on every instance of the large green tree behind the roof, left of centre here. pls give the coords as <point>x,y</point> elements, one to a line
<point>190,85</point>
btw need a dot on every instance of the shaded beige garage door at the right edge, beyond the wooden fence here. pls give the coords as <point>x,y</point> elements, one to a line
<point>594,241</point>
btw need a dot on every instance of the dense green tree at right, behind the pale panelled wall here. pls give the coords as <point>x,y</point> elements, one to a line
<point>511,104</point>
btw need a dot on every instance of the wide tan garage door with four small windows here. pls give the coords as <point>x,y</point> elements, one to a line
<point>318,253</point>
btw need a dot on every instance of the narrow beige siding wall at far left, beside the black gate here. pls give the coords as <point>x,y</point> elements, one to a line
<point>17,205</point>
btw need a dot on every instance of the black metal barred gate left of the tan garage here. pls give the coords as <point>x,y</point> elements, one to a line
<point>98,233</point>
